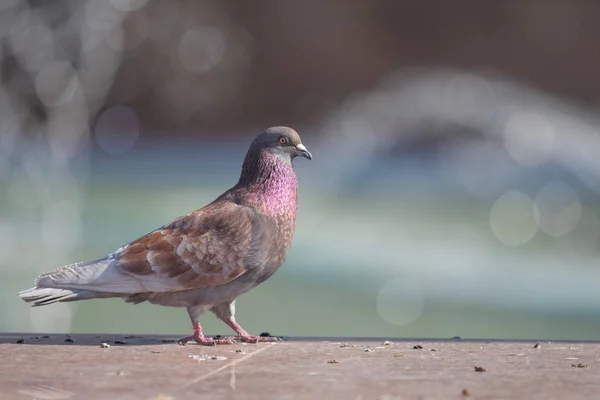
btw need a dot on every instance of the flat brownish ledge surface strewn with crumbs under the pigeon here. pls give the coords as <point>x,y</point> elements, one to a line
<point>145,367</point>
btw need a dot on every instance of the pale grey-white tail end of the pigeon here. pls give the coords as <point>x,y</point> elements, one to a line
<point>71,283</point>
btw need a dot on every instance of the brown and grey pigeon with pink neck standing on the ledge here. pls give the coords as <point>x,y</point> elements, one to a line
<point>206,259</point>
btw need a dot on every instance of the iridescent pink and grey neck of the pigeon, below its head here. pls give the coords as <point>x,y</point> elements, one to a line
<point>271,184</point>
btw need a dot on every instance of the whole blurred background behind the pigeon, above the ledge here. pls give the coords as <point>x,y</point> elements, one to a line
<point>455,186</point>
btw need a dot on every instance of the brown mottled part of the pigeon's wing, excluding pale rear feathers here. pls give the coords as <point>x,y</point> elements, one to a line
<point>204,248</point>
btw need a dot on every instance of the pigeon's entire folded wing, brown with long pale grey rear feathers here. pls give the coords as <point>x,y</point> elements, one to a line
<point>205,248</point>
